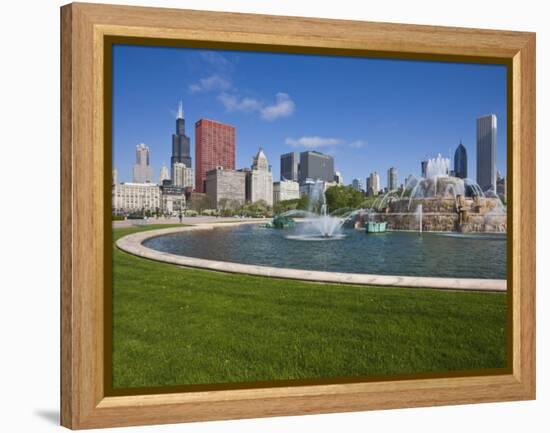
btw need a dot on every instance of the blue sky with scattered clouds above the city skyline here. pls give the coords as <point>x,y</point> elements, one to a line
<point>370,114</point>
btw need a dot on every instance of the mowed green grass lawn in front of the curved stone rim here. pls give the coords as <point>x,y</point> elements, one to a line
<point>176,326</point>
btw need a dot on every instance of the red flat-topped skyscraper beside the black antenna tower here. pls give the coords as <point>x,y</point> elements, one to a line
<point>214,147</point>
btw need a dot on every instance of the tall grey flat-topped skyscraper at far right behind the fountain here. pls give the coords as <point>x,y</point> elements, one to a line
<point>486,152</point>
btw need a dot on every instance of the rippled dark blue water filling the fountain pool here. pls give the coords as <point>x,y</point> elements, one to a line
<point>391,253</point>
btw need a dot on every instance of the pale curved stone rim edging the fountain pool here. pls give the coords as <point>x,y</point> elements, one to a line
<point>133,244</point>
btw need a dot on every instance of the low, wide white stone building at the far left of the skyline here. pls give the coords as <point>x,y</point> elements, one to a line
<point>132,197</point>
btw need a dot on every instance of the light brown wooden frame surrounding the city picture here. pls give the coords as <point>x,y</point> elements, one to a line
<point>85,184</point>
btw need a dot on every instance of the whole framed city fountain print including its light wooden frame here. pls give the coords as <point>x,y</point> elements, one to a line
<point>269,216</point>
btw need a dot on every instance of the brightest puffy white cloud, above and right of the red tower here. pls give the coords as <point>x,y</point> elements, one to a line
<point>283,106</point>
